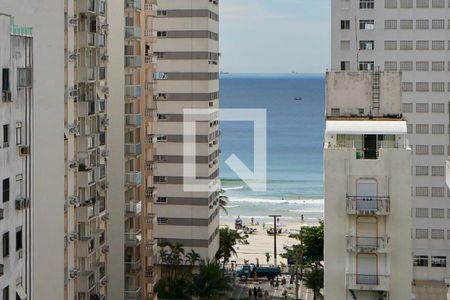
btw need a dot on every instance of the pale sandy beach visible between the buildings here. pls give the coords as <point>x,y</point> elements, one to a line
<point>260,243</point>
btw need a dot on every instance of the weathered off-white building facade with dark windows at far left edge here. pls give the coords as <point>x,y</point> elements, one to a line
<point>16,63</point>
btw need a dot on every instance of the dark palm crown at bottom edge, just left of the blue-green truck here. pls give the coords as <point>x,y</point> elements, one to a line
<point>210,283</point>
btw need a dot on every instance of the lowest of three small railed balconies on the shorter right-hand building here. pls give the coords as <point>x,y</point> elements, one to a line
<point>364,282</point>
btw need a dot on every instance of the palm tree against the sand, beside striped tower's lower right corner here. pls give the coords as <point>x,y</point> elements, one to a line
<point>228,239</point>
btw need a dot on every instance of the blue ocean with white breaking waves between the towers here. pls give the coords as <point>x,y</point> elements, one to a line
<point>294,145</point>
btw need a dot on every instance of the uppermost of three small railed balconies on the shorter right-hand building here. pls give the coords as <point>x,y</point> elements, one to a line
<point>367,205</point>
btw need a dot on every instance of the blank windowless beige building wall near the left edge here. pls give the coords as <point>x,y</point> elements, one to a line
<point>47,224</point>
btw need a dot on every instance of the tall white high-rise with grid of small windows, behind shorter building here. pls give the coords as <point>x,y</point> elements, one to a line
<point>411,36</point>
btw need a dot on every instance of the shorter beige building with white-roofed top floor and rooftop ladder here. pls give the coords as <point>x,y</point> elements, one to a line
<point>367,188</point>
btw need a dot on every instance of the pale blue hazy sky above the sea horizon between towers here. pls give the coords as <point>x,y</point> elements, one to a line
<point>274,36</point>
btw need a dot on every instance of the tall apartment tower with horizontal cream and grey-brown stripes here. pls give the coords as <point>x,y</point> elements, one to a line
<point>187,50</point>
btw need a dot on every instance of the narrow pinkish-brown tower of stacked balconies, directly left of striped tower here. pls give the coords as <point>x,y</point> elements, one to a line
<point>140,117</point>
